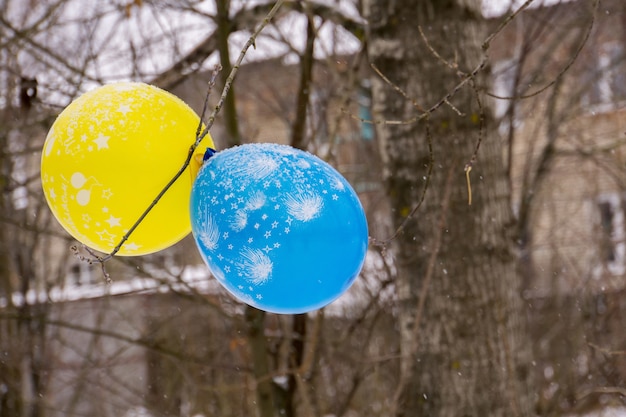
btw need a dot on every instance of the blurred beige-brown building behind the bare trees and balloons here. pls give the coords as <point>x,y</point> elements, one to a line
<point>144,345</point>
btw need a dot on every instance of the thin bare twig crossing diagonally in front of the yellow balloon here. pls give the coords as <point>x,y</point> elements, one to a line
<point>201,133</point>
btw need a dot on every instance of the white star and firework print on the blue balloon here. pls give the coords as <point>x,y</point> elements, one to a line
<point>303,204</point>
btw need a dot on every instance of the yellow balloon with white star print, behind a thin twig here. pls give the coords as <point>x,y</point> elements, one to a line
<point>107,157</point>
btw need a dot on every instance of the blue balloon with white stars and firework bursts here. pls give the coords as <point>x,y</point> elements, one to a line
<point>279,228</point>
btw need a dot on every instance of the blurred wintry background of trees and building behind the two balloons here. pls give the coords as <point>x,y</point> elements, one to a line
<point>513,305</point>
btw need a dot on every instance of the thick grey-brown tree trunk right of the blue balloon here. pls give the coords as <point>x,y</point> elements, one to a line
<point>463,350</point>
